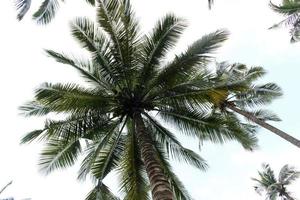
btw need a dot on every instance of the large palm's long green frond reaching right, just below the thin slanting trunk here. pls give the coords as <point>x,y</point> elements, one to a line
<point>211,127</point>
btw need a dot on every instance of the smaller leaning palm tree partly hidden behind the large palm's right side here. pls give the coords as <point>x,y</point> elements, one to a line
<point>248,96</point>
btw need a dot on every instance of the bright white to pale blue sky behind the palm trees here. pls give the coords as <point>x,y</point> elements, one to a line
<point>24,66</point>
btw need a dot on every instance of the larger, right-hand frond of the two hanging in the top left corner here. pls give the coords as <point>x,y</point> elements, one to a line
<point>46,12</point>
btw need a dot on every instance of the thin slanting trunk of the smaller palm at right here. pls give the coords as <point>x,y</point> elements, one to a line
<point>265,125</point>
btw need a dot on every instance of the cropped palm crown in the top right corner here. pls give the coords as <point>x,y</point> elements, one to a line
<point>290,9</point>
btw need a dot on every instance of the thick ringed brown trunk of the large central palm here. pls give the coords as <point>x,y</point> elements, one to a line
<point>160,186</point>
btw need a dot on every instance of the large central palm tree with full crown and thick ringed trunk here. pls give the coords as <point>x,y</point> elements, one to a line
<point>114,122</point>
